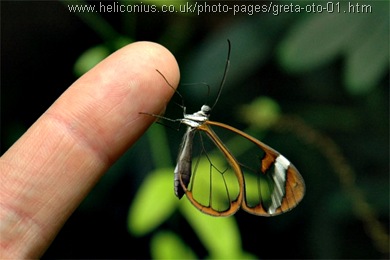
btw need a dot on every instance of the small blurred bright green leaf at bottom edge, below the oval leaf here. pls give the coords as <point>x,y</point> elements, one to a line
<point>167,245</point>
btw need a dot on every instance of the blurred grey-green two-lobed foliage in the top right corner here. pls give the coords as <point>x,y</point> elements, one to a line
<point>361,37</point>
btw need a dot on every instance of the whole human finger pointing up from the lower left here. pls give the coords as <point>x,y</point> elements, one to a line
<point>47,173</point>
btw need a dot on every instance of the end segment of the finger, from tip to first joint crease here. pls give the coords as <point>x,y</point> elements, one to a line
<point>109,98</point>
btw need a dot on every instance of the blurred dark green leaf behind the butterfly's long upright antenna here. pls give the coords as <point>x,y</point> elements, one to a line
<point>250,49</point>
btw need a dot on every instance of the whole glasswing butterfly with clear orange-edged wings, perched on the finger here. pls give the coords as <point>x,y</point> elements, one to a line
<point>244,173</point>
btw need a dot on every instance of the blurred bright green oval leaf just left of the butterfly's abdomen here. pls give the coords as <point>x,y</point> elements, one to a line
<point>154,202</point>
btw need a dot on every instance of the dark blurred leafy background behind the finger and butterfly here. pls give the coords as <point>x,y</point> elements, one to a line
<point>312,84</point>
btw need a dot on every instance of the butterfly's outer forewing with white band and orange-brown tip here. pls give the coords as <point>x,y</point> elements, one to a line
<point>272,185</point>
